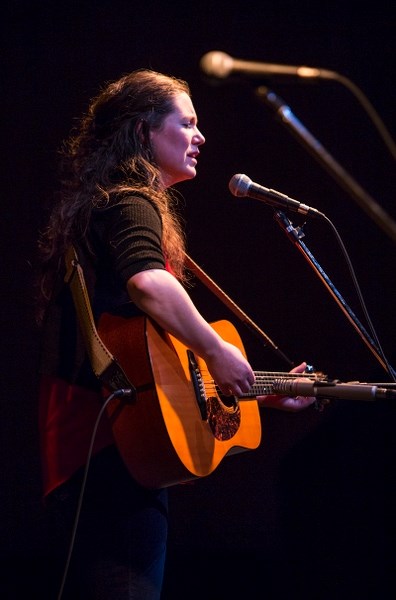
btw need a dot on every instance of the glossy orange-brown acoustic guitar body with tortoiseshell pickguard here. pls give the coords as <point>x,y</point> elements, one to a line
<point>178,427</point>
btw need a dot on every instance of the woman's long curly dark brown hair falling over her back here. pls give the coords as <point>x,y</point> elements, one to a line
<point>108,154</point>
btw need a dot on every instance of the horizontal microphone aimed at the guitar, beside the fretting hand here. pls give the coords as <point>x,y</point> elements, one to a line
<point>325,389</point>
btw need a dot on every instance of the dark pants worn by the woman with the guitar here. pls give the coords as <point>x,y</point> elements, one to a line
<point>120,542</point>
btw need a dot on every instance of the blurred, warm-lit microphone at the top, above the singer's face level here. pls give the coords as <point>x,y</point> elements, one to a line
<point>221,65</point>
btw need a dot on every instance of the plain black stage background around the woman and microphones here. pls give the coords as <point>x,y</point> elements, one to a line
<point>310,513</point>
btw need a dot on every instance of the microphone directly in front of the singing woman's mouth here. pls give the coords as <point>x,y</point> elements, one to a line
<point>242,185</point>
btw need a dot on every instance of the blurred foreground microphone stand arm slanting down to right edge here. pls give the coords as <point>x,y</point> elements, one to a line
<point>366,202</point>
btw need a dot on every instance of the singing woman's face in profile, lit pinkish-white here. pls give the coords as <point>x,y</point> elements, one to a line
<point>175,145</point>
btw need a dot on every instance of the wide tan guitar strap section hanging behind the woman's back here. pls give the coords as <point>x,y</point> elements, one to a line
<point>104,364</point>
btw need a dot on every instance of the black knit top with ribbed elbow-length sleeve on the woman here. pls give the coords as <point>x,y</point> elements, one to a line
<point>126,239</point>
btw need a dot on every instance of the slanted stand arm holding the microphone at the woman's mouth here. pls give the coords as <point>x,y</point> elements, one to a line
<point>295,236</point>
